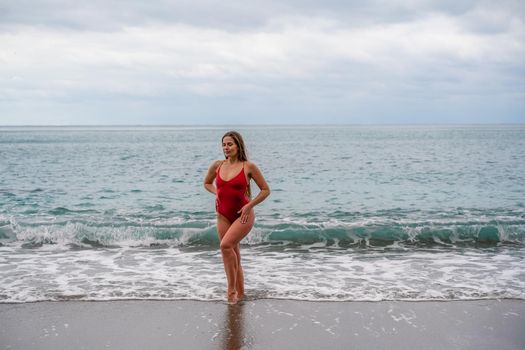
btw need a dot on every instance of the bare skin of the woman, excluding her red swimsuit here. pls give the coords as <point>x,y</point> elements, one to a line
<point>231,233</point>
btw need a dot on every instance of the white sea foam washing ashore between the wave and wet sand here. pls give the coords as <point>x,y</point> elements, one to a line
<point>307,273</point>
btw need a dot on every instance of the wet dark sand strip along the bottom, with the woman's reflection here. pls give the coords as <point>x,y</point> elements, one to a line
<point>264,324</point>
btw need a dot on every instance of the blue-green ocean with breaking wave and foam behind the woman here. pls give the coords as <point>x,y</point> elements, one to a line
<point>356,213</point>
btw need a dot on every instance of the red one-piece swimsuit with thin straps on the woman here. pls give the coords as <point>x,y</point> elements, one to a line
<point>231,195</point>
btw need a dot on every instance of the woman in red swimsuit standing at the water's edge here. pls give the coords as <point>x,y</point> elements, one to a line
<point>235,215</point>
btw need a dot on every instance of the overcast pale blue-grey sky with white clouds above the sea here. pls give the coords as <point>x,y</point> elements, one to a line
<point>261,62</point>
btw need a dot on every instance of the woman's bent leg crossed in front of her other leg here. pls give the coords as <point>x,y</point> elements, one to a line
<point>229,244</point>
